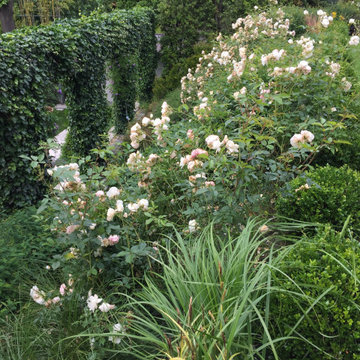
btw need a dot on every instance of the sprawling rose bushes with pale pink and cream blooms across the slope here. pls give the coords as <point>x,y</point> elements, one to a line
<point>255,113</point>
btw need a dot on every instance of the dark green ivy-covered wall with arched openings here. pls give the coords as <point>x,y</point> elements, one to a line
<point>73,52</point>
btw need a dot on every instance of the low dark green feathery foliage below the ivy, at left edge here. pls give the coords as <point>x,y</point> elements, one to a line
<point>25,247</point>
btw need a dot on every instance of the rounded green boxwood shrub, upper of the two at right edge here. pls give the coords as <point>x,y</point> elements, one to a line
<point>326,195</point>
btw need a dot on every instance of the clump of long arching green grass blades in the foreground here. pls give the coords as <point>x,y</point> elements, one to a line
<point>211,302</point>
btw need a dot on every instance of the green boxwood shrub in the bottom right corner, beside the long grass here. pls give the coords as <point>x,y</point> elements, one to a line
<point>326,268</point>
